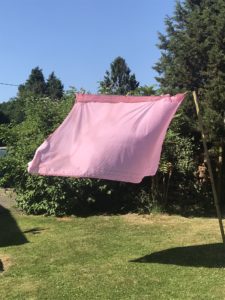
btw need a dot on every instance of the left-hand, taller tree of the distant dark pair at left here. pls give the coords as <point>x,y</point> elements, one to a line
<point>35,85</point>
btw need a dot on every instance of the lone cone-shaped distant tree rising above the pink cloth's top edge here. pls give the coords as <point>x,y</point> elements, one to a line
<point>118,81</point>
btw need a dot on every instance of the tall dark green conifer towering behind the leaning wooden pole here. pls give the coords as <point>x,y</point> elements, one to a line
<point>193,58</point>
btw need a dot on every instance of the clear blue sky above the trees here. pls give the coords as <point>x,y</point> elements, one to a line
<point>78,39</point>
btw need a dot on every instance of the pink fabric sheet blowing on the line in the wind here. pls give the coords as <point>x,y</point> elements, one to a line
<point>109,137</point>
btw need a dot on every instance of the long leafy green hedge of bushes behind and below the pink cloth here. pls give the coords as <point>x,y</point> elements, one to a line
<point>174,182</point>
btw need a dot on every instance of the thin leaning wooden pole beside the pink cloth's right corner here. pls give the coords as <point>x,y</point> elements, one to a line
<point>209,168</point>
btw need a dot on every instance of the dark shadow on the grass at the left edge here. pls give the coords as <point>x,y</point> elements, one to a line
<point>10,233</point>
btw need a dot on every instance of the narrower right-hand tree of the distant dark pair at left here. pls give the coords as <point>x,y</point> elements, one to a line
<point>54,87</point>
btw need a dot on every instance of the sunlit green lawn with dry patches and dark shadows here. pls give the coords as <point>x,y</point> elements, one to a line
<point>111,257</point>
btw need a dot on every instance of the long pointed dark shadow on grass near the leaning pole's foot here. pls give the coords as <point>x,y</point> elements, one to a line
<point>208,256</point>
